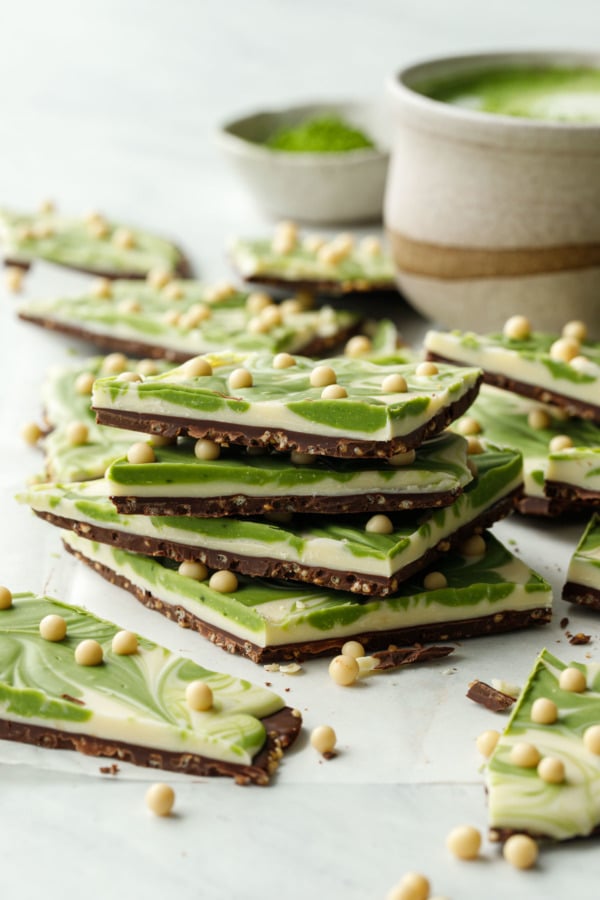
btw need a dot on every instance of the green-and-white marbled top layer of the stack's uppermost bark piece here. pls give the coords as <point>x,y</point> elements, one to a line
<point>285,399</point>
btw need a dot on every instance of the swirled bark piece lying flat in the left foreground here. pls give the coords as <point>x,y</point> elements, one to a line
<point>132,708</point>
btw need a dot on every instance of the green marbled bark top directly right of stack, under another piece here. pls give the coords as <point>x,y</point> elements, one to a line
<point>504,420</point>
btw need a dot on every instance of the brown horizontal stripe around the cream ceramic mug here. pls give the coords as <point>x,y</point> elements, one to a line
<point>448,262</point>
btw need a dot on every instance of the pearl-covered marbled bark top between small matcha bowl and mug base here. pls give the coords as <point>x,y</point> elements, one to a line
<point>257,258</point>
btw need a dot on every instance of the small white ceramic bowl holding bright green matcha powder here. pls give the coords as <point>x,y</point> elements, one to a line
<point>325,188</point>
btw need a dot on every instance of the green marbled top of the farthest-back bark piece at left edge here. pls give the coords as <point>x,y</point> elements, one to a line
<point>69,241</point>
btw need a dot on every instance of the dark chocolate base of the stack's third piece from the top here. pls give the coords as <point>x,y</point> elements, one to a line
<point>365,586</point>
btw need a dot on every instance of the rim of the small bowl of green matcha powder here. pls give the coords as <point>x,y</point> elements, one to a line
<point>229,140</point>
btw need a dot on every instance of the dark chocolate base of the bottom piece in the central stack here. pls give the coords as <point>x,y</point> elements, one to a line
<point>498,623</point>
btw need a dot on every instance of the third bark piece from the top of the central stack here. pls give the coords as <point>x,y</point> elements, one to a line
<point>343,554</point>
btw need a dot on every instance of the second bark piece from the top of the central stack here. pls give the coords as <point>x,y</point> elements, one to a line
<point>177,483</point>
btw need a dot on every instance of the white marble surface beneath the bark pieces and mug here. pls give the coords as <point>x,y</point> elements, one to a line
<point>113,105</point>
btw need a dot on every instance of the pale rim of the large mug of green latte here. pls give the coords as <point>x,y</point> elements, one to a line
<point>399,85</point>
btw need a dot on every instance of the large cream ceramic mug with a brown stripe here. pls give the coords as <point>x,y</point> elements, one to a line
<point>490,215</point>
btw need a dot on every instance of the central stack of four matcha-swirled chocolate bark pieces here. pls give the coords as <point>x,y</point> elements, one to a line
<point>320,493</point>
